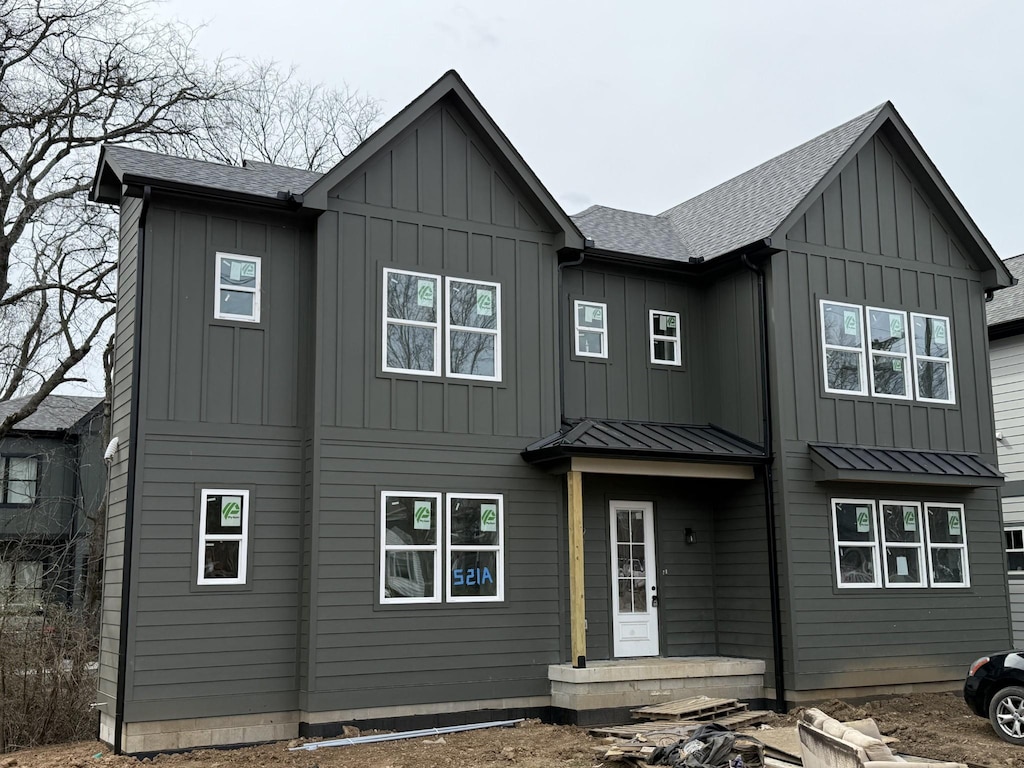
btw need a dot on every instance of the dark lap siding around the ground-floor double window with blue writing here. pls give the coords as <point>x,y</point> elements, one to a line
<point>373,656</point>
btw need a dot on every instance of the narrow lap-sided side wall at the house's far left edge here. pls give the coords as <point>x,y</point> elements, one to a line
<point>114,537</point>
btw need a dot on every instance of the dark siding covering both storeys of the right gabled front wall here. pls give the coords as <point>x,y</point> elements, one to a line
<point>875,238</point>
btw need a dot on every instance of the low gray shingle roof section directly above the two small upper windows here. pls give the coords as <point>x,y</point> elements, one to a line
<point>626,232</point>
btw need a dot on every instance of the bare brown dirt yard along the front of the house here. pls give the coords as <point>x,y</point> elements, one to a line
<point>934,726</point>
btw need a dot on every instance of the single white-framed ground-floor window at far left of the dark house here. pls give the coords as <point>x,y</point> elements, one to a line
<point>224,536</point>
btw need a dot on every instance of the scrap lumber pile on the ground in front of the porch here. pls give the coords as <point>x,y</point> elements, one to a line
<point>672,722</point>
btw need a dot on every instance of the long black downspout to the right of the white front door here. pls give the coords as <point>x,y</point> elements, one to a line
<point>770,488</point>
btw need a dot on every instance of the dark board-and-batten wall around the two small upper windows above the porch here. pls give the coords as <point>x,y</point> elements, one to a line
<point>627,385</point>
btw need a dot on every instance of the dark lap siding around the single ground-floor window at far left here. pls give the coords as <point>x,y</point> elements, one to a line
<point>207,651</point>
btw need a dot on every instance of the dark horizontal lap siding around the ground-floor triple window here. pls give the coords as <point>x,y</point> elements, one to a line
<point>886,636</point>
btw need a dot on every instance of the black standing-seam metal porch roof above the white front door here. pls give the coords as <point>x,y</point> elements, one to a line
<point>644,440</point>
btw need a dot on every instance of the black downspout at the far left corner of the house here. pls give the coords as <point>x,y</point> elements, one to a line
<point>119,713</point>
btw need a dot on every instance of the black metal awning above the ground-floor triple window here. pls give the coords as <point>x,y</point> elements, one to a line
<point>858,463</point>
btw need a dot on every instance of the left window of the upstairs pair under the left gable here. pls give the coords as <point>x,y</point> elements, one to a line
<point>412,323</point>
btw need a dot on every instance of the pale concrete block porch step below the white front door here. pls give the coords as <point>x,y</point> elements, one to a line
<point>604,692</point>
